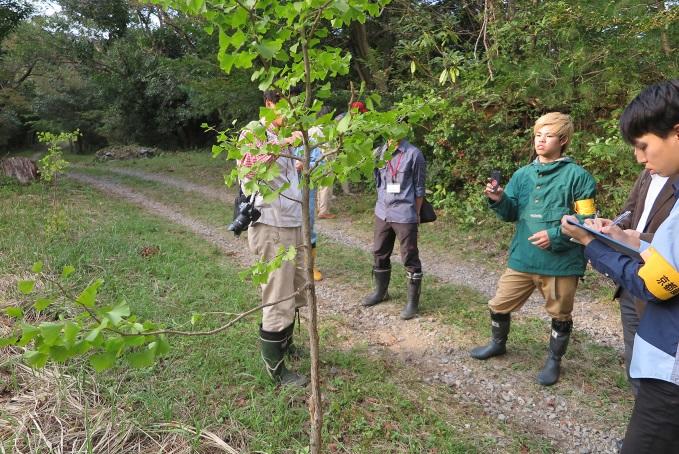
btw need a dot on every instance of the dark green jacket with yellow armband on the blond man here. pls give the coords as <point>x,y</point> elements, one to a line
<point>536,198</point>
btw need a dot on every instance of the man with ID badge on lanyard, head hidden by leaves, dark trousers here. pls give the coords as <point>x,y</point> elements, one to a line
<point>400,187</point>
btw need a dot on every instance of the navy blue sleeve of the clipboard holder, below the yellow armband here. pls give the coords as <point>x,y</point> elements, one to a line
<point>623,269</point>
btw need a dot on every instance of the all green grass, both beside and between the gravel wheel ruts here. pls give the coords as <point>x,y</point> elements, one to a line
<point>373,402</point>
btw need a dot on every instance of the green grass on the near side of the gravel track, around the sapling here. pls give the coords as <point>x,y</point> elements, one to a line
<point>215,382</point>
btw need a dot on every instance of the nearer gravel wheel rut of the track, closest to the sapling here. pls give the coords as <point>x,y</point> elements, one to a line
<point>436,350</point>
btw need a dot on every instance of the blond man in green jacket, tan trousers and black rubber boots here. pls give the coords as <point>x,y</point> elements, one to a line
<point>540,256</point>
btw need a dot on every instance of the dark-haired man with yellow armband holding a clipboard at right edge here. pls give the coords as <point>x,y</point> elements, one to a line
<point>650,123</point>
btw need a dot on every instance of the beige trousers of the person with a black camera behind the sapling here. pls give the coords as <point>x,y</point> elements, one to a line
<point>264,241</point>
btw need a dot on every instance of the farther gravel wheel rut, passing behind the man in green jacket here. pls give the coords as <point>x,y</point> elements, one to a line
<point>599,319</point>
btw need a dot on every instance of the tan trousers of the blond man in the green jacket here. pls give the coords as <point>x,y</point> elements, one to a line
<point>515,287</point>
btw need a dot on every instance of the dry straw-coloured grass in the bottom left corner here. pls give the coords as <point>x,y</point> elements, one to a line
<point>52,411</point>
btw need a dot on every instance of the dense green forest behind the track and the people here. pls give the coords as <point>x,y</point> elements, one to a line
<point>125,71</point>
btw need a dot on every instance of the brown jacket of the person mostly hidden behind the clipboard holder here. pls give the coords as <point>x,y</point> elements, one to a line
<point>661,209</point>
